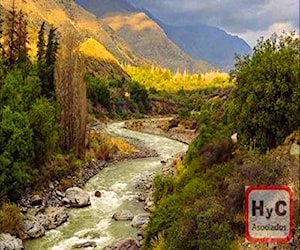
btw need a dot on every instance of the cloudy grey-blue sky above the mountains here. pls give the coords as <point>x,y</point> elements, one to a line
<point>249,19</point>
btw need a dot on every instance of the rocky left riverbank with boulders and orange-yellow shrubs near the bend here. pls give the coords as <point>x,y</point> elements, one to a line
<point>44,207</point>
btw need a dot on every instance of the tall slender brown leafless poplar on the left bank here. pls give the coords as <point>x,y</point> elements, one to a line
<point>71,94</point>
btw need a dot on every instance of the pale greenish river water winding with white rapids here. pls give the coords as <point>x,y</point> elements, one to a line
<point>117,185</point>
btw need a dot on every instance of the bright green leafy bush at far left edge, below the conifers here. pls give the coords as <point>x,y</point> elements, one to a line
<point>16,151</point>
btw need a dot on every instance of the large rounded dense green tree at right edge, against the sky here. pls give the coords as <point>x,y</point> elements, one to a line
<point>266,101</point>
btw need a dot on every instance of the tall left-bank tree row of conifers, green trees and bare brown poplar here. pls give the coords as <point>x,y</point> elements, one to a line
<point>42,102</point>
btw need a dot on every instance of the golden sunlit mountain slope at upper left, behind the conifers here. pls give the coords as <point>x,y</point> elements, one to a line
<point>68,17</point>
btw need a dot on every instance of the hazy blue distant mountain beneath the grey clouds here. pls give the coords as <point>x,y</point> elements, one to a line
<point>208,43</point>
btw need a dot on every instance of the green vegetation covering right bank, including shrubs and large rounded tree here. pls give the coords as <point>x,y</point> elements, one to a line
<point>202,206</point>
